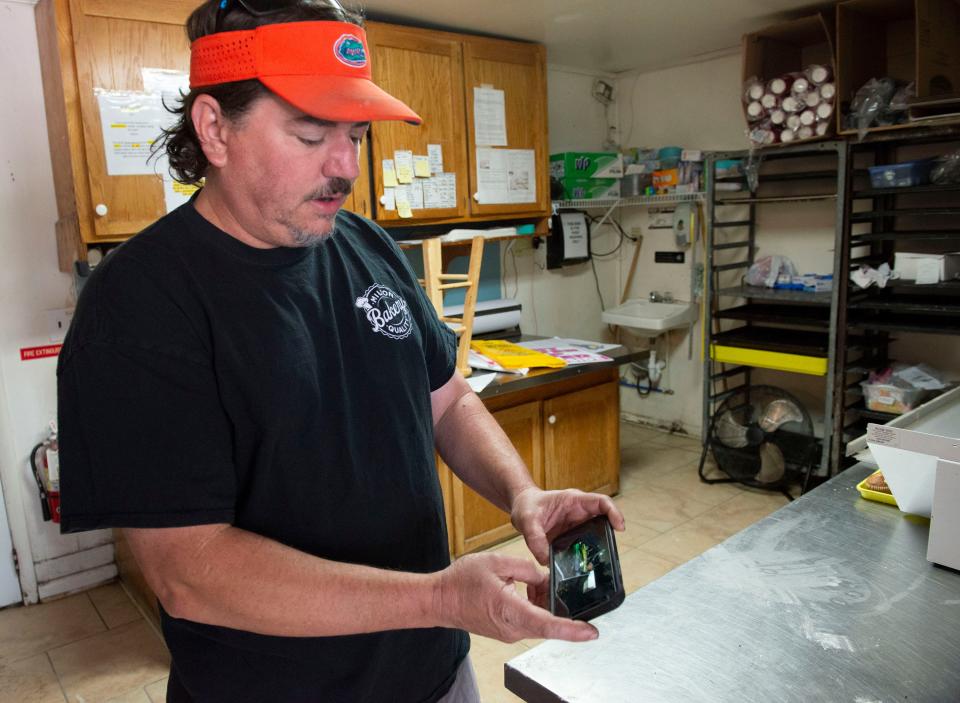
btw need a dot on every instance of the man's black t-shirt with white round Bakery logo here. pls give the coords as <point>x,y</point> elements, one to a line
<point>287,392</point>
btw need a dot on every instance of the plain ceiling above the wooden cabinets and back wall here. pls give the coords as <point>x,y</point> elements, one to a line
<point>607,36</point>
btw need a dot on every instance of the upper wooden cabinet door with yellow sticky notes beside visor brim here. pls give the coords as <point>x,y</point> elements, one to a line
<point>424,69</point>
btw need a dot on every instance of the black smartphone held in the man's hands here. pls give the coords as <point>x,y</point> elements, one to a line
<point>585,579</point>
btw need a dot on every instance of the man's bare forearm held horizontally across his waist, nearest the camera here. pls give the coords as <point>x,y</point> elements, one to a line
<point>244,581</point>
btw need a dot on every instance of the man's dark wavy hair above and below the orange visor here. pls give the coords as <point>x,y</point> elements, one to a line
<point>188,163</point>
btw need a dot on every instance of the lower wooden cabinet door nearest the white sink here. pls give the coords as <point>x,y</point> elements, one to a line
<point>581,439</point>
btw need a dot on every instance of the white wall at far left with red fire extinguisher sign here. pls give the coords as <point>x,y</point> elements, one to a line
<point>32,284</point>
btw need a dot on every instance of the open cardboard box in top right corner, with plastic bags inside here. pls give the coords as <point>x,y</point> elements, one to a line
<point>909,40</point>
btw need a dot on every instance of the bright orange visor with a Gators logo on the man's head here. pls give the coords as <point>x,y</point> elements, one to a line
<point>321,68</point>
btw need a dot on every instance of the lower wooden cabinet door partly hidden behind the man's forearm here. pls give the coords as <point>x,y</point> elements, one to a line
<point>477,523</point>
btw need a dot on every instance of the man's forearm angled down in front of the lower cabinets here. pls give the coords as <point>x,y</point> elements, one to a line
<point>479,452</point>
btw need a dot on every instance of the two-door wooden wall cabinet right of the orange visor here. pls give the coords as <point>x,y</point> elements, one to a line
<point>436,73</point>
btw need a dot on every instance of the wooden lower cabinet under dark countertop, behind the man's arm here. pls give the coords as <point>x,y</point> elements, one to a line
<point>569,437</point>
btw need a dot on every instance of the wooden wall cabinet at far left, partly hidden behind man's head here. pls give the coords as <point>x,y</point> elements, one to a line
<point>91,44</point>
